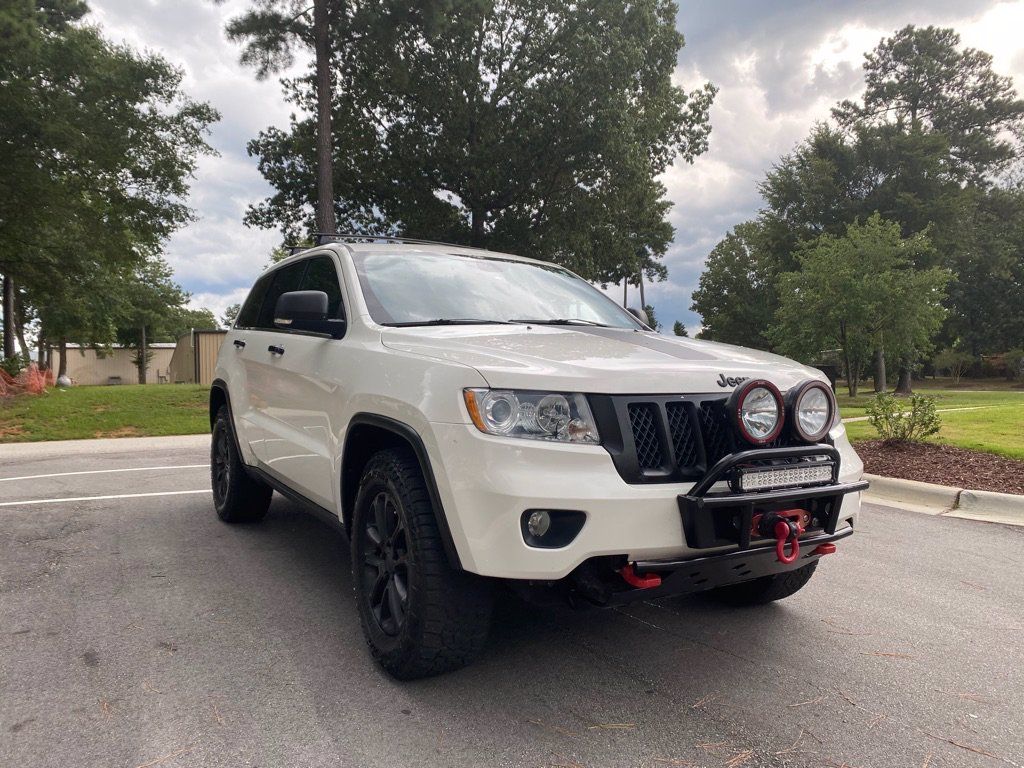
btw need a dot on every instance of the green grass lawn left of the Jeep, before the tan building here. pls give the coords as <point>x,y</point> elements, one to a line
<point>131,411</point>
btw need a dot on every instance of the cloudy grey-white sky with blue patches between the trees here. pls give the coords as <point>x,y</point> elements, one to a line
<point>779,66</point>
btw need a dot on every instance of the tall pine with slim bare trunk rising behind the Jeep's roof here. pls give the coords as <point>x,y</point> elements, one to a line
<point>271,32</point>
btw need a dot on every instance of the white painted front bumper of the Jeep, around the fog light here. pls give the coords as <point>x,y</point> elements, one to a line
<point>486,484</point>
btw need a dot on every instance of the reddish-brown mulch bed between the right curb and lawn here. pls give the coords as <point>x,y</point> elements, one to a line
<point>947,465</point>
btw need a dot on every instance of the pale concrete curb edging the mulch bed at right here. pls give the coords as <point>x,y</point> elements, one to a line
<point>944,500</point>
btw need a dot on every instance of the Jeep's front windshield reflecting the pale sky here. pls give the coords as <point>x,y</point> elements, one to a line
<point>422,288</point>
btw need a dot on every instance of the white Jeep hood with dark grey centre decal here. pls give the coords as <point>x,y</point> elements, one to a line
<point>596,360</point>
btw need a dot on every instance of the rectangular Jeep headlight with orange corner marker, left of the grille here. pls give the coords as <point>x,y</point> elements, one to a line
<point>542,416</point>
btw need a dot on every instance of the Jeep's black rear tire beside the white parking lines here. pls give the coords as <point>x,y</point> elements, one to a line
<point>238,497</point>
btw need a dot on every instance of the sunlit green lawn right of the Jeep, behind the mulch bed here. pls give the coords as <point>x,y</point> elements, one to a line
<point>997,428</point>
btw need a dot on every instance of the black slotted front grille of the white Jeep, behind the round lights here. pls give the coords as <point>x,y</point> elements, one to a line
<point>670,439</point>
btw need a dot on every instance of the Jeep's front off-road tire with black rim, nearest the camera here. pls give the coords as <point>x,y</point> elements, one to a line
<point>445,621</point>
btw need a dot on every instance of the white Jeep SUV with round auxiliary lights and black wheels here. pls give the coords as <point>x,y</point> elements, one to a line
<point>474,418</point>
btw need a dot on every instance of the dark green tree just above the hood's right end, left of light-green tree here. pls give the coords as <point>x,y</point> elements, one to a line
<point>737,296</point>
